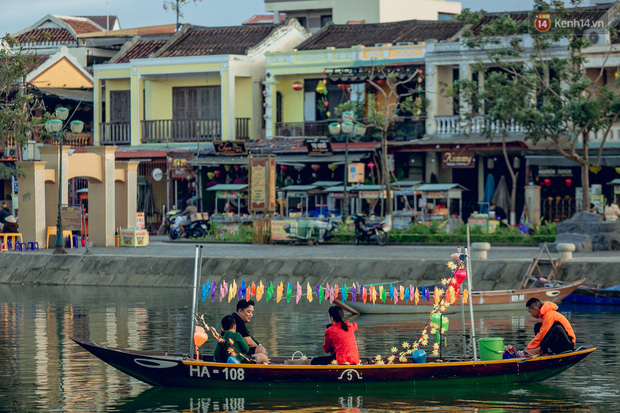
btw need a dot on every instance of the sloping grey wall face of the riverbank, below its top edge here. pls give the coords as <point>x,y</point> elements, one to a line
<point>177,272</point>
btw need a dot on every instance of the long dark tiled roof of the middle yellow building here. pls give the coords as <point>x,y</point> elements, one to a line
<point>342,36</point>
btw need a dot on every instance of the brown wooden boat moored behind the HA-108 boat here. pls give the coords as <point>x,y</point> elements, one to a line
<point>500,300</point>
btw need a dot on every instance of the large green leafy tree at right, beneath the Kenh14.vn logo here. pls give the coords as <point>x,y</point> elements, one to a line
<point>542,85</point>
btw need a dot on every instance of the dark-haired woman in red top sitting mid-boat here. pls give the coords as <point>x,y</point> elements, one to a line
<point>339,341</point>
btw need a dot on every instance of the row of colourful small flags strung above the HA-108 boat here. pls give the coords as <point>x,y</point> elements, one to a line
<point>357,292</point>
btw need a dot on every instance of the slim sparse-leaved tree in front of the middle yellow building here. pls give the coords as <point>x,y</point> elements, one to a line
<point>397,90</point>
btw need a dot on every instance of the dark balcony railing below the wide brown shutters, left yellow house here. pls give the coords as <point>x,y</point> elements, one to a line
<point>170,130</point>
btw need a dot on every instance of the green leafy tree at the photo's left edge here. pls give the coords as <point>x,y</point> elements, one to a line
<point>18,107</point>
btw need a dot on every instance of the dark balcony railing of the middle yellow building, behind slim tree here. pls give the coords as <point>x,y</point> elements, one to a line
<point>403,128</point>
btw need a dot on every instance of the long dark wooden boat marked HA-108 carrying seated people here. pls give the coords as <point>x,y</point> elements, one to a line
<point>177,370</point>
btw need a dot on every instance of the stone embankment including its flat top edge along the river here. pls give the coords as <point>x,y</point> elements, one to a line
<point>162,267</point>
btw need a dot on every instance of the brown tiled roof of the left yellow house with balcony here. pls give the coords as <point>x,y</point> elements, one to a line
<point>201,41</point>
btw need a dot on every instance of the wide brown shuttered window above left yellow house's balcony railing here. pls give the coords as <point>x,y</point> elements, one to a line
<point>192,103</point>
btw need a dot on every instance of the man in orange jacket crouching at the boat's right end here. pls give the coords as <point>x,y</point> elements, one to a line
<point>555,335</point>
